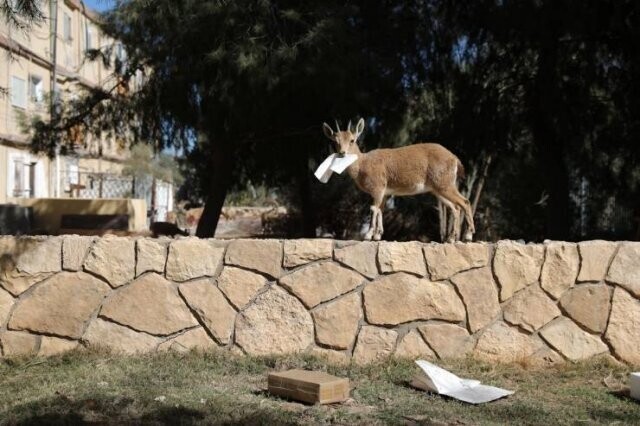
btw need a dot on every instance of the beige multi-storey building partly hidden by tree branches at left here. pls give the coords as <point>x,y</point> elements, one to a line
<point>35,64</point>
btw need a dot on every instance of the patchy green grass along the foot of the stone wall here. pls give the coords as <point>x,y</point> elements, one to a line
<point>220,388</point>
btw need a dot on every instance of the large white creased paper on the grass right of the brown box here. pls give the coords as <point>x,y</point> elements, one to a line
<point>441,381</point>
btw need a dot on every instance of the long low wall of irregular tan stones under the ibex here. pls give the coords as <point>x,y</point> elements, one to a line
<point>541,303</point>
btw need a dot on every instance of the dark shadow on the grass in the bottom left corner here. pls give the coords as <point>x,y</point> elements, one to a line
<point>60,410</point>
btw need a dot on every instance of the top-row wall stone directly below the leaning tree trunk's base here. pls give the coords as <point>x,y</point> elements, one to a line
<point>192,258</point>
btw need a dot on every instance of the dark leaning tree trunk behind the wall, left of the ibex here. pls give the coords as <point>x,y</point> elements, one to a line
<point>221,169</point>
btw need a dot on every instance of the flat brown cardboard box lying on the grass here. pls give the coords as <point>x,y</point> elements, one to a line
<point>308,386</point>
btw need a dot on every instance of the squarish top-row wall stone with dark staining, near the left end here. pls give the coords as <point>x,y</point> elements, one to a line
<point>35,255</point>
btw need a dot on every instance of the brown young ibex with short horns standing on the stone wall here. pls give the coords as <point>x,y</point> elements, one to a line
<point>408,170</point>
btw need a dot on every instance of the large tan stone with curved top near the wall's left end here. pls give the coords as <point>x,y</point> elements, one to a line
<point>60,306</point>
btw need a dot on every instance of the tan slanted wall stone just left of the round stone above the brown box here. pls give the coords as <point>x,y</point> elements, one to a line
<point>211,307</point>
